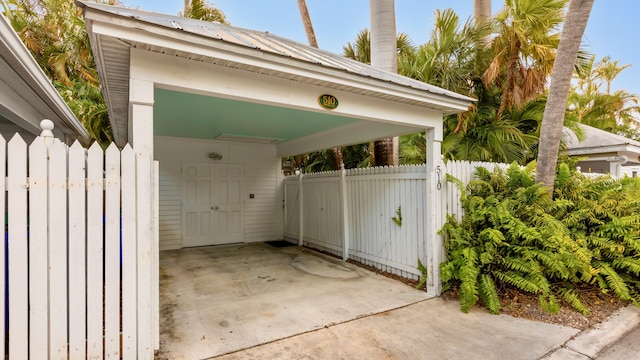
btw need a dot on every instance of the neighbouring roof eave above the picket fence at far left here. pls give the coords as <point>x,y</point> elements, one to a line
<point>27,95</point>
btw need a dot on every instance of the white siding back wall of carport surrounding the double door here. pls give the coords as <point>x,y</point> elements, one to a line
<point>262,177</point>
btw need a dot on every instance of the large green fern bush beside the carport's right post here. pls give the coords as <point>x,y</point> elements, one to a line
<point>513,235</point>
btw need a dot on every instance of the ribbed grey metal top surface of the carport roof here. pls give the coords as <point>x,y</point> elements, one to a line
<point>267,42</point>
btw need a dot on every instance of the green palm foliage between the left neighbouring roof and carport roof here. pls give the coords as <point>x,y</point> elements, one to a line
<point>55,34</point>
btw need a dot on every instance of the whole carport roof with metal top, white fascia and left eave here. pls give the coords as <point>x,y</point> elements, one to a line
<point>237,48</point>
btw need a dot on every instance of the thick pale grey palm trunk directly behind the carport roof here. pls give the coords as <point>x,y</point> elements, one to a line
<point>384,55</point>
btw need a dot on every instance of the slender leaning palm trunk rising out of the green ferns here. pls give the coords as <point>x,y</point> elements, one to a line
<point>553,118</point>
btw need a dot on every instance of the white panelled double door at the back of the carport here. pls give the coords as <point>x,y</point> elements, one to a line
<point>212,204</point>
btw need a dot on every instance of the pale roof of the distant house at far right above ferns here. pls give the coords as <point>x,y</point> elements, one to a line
<point>598,142</point>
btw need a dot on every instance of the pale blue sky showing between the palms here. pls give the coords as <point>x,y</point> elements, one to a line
<point>613,28</point>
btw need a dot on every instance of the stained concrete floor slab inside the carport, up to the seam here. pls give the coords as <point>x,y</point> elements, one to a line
<point>218,300</point>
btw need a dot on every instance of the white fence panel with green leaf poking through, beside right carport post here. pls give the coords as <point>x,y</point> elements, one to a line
<point>376,196</point>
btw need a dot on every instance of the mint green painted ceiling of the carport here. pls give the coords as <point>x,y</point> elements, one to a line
<point>197,116</point>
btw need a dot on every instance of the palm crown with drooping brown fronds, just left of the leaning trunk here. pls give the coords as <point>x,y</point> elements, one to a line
<point>524,49</point>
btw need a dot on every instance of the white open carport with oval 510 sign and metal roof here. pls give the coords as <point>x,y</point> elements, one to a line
<point>218,107</point>
